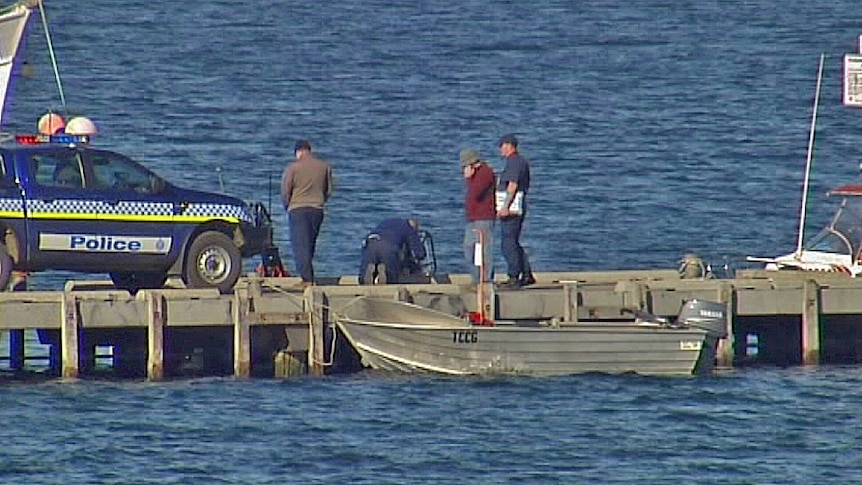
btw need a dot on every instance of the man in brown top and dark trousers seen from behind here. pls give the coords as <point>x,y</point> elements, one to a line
<point>306,186</point>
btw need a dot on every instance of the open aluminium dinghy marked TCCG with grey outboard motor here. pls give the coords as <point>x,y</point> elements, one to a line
<point>401,337</point>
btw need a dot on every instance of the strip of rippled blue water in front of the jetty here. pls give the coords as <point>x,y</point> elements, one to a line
<point>764,426</point>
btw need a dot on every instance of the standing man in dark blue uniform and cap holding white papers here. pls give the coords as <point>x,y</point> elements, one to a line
<point>511,209</point>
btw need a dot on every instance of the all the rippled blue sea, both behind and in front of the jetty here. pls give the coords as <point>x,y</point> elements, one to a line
<point>654,128</point>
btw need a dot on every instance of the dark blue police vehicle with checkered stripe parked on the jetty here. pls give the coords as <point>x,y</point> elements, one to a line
<point>66,205</point>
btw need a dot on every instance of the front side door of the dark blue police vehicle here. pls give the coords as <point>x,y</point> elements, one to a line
<point>137,216</point>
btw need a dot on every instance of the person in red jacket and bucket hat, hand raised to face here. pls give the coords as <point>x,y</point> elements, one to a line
<point>480,212</point>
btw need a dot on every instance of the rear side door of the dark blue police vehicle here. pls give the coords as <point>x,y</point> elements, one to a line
<point>61,213</point>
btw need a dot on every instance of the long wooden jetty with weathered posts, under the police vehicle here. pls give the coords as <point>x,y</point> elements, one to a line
<point>276,327</point>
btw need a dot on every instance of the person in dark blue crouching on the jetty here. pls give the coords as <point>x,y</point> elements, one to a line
<point>383,248</point>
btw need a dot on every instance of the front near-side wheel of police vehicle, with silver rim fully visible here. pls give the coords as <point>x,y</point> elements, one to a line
<point>213,261</point>
